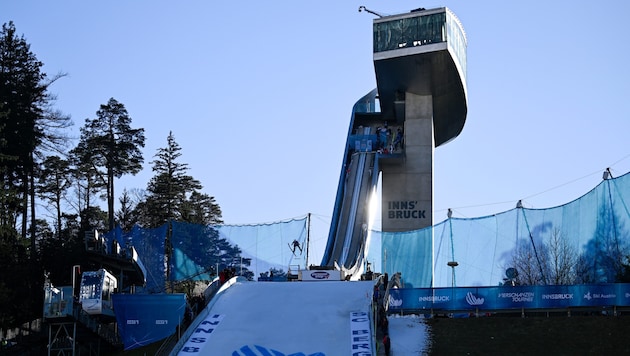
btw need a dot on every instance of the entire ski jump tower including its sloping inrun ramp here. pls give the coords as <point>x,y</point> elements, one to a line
<point>420,66</point>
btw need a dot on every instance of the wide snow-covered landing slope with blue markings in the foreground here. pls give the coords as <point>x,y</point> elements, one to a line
<point>284,318</point>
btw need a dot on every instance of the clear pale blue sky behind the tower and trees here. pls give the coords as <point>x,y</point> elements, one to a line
<point>259,94</point>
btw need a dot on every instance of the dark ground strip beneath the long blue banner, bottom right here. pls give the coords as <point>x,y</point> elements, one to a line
<point>532,335</point>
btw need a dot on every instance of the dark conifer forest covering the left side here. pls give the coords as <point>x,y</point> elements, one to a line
<point>56,188</point>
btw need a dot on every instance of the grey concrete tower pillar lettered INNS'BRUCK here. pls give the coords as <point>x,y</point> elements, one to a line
<point>407,184</point>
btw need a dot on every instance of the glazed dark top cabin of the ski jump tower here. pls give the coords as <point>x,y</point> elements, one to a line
<point>423,52</point>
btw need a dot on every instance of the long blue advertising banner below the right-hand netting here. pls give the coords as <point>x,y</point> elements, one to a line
<point>509,297</point>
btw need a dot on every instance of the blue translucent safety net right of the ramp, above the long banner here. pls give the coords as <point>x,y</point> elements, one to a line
<point>584,241</point>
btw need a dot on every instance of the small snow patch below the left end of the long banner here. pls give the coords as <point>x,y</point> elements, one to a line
<point>409,335</point>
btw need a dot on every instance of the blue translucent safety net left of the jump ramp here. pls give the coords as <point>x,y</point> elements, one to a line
<point>201,252</point>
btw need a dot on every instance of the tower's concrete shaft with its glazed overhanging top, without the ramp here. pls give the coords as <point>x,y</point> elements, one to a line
<point>420,65</point>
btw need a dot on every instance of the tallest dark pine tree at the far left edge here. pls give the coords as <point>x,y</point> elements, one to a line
<point>29,127</point>
